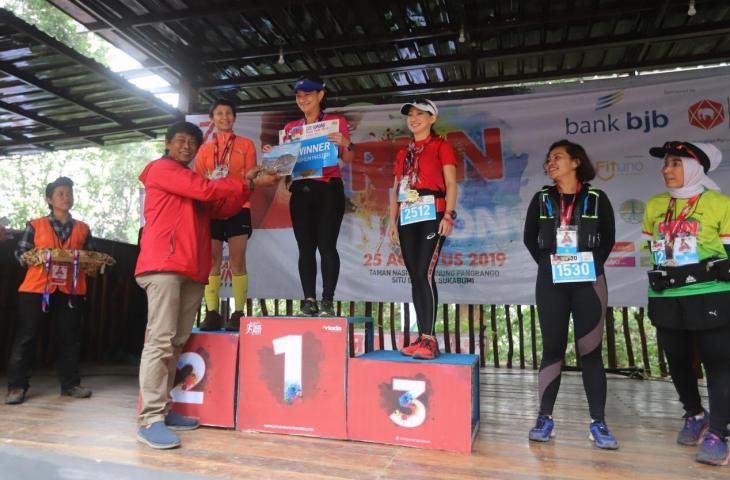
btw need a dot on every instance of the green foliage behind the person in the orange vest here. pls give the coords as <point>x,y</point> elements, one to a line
<point>106,187</point>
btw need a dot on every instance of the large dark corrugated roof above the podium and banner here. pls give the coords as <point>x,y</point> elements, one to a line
<point>380,49</point>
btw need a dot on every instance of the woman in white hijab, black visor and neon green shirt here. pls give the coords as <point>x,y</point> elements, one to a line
<point>688,228</point>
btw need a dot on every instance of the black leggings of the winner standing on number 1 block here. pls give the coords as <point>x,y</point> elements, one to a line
<point>316,210</point>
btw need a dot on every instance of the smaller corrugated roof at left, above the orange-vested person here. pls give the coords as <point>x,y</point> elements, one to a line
<point>52,97</point>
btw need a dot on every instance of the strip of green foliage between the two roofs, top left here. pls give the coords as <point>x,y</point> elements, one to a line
<point>52,21</point>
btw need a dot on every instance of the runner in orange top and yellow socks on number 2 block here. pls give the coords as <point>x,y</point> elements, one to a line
<point>228,155</point>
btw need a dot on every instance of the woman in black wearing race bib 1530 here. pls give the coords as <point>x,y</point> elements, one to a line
<point>570,231</point>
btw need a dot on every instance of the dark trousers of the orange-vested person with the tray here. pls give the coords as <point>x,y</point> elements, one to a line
<point>66,325</point>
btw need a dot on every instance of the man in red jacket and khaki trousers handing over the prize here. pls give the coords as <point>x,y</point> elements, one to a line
<point>173,267</point>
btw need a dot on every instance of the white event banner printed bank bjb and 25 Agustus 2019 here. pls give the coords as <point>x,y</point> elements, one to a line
<point>500,145</point>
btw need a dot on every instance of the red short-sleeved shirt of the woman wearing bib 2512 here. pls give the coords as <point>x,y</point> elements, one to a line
<point>436,153</point>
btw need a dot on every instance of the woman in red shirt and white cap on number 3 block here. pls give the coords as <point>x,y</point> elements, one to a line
<point>422,214</point>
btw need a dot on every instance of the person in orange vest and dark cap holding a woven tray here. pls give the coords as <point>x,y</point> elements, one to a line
<point>51,293</point>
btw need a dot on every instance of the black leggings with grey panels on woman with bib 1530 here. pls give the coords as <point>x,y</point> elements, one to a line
<point>586,301</point>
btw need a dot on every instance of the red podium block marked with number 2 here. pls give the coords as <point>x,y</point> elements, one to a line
<point>205,384</point>
